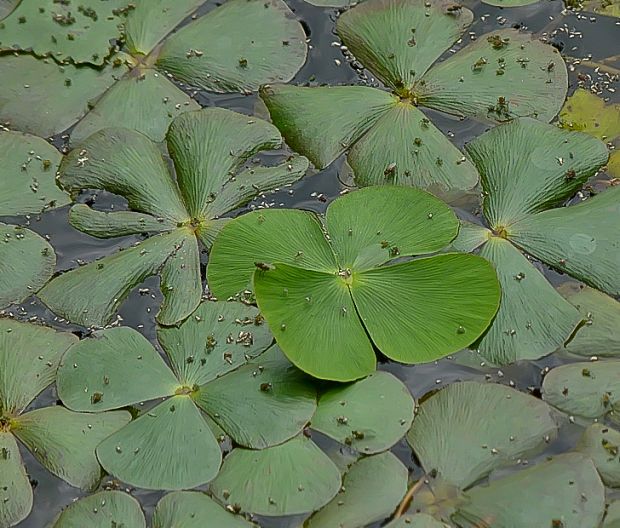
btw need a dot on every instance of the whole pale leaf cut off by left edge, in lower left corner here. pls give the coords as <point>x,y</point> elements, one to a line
<point>63,441</point>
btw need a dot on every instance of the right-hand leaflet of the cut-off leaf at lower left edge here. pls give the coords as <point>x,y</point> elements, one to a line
<point>65,441</point>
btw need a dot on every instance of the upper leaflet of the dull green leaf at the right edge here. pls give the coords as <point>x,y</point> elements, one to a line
<point>527,167</point>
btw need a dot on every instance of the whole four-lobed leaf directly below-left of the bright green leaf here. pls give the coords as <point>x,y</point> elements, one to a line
<point>217,366</point>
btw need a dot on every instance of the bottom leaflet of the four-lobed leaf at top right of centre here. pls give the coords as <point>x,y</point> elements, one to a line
<point>405,148</point>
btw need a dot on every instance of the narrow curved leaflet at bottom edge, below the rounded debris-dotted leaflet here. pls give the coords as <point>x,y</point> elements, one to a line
<point>360,501</point>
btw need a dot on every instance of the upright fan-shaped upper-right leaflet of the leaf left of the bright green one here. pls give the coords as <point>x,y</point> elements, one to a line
<point>208,146</point>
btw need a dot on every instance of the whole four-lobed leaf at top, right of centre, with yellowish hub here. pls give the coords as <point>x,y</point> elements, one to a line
<point>503,75</point>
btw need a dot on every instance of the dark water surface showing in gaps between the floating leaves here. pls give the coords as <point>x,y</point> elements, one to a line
<point>578,36</point>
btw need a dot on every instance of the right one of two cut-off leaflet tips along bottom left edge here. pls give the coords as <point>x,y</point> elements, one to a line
<point>192,509</point>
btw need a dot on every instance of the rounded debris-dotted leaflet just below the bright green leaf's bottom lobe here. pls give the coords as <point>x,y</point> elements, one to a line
<point>370,415</point>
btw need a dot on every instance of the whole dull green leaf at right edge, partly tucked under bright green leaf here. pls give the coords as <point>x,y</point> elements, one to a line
<point>528,167</point>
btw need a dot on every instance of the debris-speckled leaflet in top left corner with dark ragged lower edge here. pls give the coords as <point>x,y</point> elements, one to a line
<point>68,33</point>
